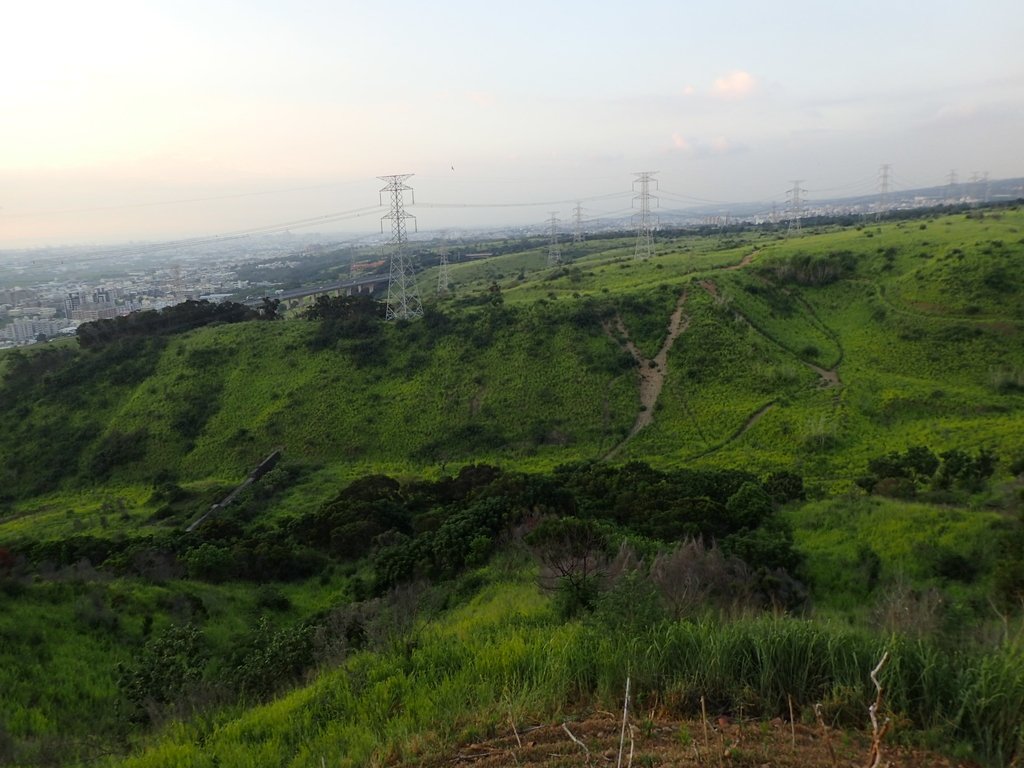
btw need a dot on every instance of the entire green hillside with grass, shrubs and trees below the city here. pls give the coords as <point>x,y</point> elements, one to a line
<point>833,424</point>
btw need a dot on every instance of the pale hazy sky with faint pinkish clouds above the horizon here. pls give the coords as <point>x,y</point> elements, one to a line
<point>146,119</point>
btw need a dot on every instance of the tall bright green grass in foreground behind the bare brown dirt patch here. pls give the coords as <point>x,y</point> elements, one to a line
<point>505,655</point>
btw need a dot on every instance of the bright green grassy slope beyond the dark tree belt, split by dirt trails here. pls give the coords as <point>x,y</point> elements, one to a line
<point>541,393</point>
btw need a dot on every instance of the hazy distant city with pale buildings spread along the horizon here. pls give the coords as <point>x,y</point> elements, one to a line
<point>48,293</point>
